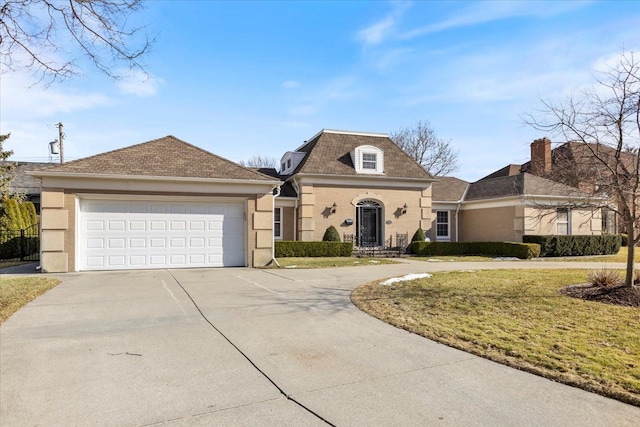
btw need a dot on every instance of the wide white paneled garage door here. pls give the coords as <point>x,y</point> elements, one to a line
<point>126,234</point>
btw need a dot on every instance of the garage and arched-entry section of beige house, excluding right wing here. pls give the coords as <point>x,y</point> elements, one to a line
<point>168,204</point>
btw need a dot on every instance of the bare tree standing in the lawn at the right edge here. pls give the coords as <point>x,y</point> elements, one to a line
<point>603,125</point>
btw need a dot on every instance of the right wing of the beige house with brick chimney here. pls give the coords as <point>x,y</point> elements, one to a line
<point>514,201</point>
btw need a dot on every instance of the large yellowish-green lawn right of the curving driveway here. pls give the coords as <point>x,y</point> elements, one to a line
<point>519,318</point>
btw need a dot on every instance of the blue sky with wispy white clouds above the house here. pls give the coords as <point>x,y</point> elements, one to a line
<point>258,78</point>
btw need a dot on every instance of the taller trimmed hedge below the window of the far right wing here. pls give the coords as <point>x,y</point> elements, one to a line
<point>606,244</point>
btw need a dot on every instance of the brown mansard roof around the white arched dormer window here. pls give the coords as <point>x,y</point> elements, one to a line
<point>328,154</point>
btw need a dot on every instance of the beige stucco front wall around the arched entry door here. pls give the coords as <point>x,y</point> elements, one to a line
<point>316,201</point>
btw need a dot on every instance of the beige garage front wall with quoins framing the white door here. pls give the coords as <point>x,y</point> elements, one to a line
<point>60,210</point>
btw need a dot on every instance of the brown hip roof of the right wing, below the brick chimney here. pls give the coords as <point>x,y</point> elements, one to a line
<point>519,185</point>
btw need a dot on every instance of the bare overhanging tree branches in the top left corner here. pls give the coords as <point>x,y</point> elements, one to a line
<point>46,36</point>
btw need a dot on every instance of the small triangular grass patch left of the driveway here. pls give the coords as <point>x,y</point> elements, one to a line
<point>16,292</point>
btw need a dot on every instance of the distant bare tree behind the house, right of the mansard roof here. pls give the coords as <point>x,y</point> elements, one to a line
<point>421,143</point>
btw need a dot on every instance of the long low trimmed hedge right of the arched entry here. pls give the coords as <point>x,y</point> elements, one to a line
<point>506,249</point>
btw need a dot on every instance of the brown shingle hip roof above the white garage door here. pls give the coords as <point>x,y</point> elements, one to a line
<point>166,157</point>
